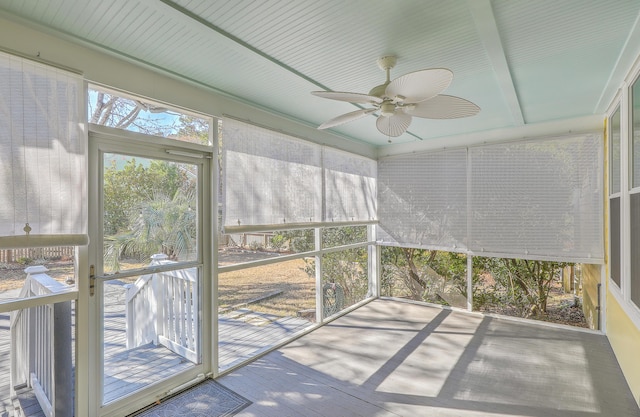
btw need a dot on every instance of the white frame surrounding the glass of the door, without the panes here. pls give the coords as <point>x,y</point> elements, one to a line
<point>89,345</point>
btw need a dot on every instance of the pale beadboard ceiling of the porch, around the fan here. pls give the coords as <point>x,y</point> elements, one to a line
<point>522,61</point>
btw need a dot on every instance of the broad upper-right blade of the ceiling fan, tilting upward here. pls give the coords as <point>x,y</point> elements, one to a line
<point>419,86</point>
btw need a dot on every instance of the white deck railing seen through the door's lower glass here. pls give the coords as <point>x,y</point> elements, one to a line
<point>162,308</point>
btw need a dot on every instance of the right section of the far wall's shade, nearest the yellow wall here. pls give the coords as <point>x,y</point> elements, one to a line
<point>538,199</point>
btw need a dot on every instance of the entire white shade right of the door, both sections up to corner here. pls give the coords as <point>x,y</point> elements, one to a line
<point>273,181</point>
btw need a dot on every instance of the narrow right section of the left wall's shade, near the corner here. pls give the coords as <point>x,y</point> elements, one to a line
<point>350,187</point>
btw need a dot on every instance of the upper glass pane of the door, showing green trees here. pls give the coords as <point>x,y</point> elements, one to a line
<point>150,206</point>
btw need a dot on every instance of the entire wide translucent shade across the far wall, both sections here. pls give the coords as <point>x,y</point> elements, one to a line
<point>536,199</point>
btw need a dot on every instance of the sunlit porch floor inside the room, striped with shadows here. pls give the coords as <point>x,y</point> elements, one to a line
<point>391,358</point>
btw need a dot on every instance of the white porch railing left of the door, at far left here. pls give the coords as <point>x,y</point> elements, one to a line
<point>41,346</point>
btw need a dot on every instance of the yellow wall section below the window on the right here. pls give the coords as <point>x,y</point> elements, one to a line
<point>624,337</point>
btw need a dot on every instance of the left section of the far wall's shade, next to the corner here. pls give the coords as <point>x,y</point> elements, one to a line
<point>423,199</point>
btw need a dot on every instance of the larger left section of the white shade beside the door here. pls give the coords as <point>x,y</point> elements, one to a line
<point>269,180</point>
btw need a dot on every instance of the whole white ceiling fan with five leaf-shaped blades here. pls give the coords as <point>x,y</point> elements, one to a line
<point>414,94</point>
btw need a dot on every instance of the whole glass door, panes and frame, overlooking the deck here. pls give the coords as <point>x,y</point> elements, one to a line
<point>147,272</point>
